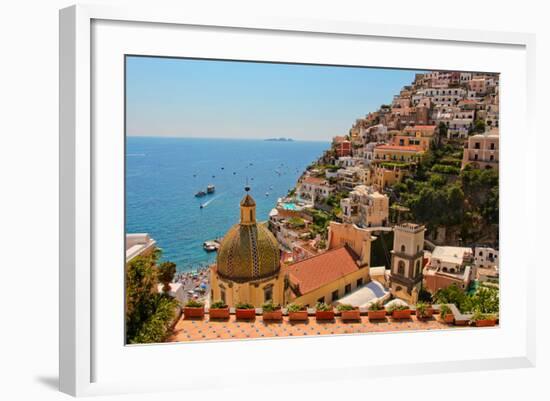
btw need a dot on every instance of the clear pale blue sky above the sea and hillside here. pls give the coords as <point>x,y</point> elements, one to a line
<point>228,99</point>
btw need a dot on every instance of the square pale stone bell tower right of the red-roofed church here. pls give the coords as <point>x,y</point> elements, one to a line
<point>407,260</point>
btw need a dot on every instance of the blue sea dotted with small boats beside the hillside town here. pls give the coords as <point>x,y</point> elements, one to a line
<point>163,174</point>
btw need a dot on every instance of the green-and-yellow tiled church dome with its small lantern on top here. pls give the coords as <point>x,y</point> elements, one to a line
<point>248,251</point>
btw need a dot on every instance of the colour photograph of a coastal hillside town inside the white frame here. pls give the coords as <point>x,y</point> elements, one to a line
<point>272,200</point>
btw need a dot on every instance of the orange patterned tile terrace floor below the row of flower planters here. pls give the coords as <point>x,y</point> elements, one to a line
<point>203,330</point>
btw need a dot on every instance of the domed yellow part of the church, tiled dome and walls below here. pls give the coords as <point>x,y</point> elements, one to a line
<point>248,267</point>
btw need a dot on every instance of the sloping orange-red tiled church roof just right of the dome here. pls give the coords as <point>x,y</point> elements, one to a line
<point>322,269</point>
